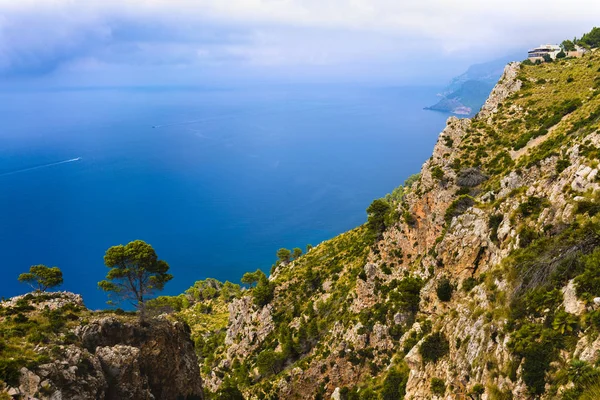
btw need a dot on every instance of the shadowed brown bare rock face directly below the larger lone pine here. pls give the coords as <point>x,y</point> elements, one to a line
<point>157,355</point>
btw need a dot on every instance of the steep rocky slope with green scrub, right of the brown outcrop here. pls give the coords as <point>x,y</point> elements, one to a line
<point>483,282</point>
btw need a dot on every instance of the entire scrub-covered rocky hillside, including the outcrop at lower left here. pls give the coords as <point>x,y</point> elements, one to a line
<point>479,278</point>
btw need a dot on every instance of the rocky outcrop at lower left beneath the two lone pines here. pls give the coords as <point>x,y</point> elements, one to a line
<point>106,357</point>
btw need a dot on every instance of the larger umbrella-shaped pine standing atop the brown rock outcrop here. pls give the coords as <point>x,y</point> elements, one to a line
<point>135,273</point>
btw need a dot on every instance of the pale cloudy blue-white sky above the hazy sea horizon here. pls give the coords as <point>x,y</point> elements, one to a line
<point>207,42</point>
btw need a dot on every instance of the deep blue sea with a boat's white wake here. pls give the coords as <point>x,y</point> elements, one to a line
<point>216,180</point>
